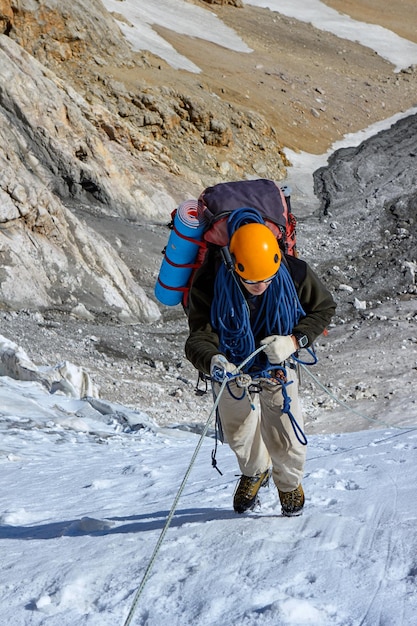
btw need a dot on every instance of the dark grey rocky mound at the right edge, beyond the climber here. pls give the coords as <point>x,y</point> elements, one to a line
<point>369,200</point>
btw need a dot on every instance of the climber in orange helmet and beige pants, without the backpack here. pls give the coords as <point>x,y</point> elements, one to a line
<point>274,302</point>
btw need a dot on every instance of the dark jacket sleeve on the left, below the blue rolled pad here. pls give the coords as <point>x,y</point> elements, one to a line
<point>202,342</point>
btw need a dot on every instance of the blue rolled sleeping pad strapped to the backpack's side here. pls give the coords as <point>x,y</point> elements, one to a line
<point>180,254</point>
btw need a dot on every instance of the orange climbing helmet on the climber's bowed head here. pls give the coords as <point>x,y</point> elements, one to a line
<point>255,252</point>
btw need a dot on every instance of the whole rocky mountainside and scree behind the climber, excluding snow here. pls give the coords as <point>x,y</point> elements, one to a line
<point>98,144</point>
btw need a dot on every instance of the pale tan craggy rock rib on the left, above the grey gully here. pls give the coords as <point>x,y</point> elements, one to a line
<point>70,144</point>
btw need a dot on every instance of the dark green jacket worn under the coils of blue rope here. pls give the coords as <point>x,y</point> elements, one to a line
<point>203,342</point>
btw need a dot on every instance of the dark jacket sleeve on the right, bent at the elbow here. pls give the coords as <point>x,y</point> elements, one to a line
<point>317,302</point>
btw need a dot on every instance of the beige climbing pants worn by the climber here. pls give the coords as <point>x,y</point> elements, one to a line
<point>260,434</point>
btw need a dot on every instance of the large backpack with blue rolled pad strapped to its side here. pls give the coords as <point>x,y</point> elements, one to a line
<point>205,225</point>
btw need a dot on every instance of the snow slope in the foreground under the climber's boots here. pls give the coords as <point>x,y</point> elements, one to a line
<point>85,495</point>
